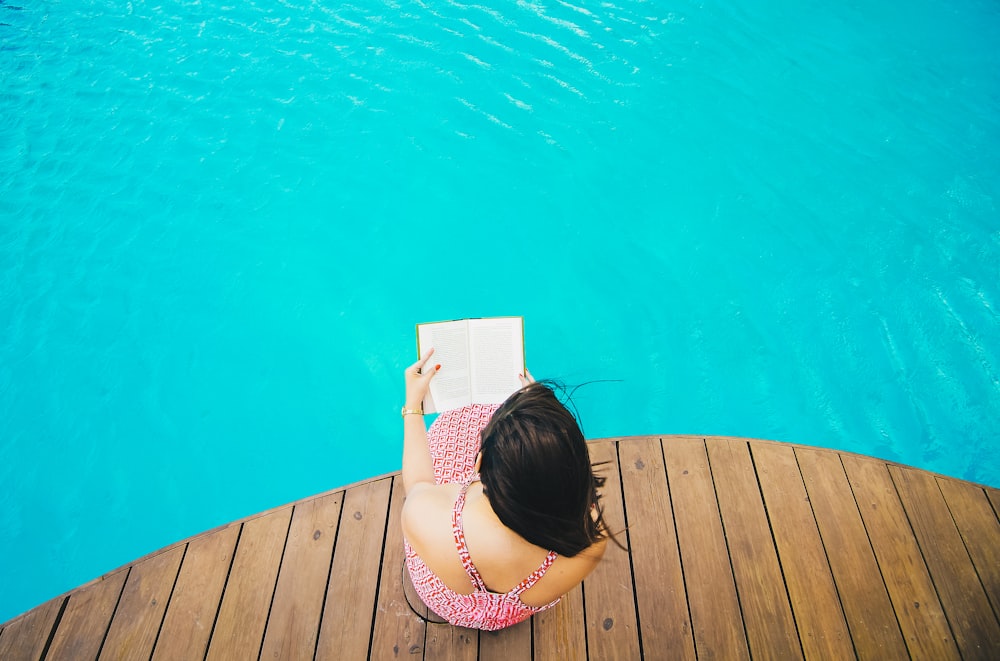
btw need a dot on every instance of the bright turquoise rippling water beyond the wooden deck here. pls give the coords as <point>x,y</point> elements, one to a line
<point>219,223</point>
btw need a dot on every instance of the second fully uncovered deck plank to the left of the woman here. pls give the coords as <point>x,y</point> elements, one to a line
<point>305,569</point>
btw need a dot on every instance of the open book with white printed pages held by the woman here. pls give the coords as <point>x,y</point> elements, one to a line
<point>480,361</point>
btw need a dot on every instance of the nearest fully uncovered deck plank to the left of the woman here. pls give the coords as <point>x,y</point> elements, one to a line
<point>346,629</point>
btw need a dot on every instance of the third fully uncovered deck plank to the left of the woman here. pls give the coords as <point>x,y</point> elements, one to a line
<point>239,629</point>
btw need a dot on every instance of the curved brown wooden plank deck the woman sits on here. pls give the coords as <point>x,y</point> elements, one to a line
<point>739,549</point>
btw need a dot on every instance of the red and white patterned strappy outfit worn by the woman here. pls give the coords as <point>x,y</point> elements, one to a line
<point>454,444</point>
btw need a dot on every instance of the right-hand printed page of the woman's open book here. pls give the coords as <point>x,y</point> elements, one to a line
<point>496,347</point>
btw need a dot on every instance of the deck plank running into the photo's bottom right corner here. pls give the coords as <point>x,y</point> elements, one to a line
<point>973,624</point>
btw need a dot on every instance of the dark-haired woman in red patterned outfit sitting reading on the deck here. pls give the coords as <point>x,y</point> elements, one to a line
<point>501,515</point>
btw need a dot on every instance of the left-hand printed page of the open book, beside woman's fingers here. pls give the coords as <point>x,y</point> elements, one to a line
<point>450,386</point>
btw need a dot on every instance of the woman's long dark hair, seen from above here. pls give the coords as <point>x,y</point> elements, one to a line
<point>537,475</point>
